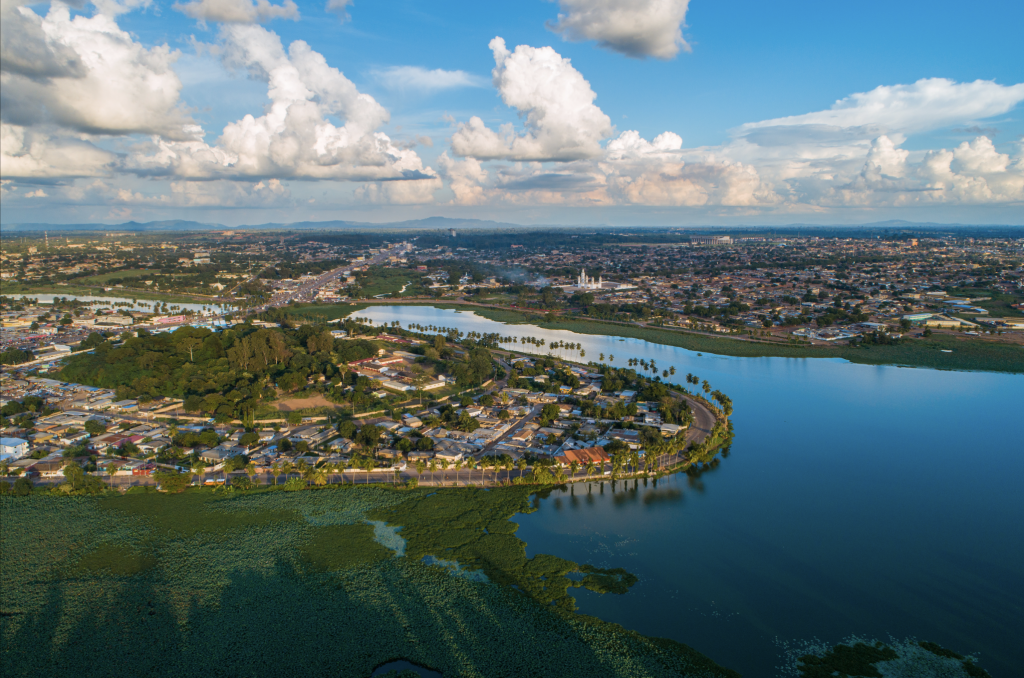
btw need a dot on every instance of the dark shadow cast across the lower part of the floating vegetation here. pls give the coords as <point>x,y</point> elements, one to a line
<point>394,617</point>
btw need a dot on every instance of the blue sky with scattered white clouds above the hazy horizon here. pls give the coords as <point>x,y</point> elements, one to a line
<point>563,112</point>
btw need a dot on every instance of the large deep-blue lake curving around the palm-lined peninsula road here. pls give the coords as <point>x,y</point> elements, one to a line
<point>856,500</point>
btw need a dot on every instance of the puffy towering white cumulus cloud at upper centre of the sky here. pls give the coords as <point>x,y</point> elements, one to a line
<point>562,120</point>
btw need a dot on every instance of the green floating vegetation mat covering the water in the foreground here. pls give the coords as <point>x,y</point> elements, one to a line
<point>294,584</point>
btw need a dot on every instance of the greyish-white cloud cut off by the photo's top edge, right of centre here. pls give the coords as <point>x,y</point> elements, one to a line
<point>634,28</point>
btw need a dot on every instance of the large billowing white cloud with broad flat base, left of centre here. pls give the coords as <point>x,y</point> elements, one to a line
<point>294,139</point>
